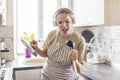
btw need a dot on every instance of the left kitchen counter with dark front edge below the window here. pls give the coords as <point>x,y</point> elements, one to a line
<point>16,65</point>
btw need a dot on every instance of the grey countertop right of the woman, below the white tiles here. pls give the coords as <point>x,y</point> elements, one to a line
<point>101,71</point>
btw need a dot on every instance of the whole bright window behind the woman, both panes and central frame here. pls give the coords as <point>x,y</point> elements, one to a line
<point>34,16</point>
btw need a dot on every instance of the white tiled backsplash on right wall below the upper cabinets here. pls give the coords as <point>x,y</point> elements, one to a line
<point>108,40</point>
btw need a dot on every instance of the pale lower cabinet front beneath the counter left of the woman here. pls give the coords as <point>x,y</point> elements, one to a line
<point>30,74</point>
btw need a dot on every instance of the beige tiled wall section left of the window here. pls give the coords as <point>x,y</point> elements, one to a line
<point>7,33</point>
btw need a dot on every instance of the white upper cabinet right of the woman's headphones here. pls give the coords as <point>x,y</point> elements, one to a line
<point>88,12</point>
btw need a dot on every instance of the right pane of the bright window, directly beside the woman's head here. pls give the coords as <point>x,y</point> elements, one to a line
<point>49,8</point>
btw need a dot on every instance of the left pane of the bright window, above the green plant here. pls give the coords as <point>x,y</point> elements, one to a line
<point>26,20</point>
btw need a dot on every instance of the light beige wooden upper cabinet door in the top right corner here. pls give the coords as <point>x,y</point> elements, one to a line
<point>112,11</point>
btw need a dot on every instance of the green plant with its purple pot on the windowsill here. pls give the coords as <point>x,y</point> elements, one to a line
<point>27,37</point>
